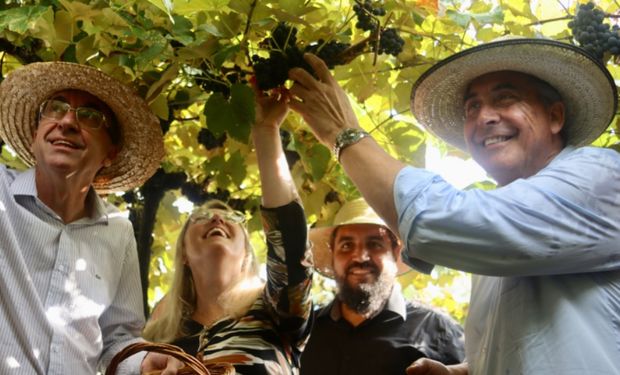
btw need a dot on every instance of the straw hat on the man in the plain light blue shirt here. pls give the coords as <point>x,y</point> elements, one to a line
<point>586,86</point>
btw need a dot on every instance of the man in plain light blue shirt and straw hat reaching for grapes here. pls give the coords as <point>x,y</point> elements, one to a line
<point>545,245</point>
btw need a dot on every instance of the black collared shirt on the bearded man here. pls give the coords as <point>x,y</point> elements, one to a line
<point>385,344</point>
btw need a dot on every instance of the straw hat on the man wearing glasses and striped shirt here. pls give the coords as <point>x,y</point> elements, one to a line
<point>23,91</point>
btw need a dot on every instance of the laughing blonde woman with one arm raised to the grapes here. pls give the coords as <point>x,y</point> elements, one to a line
<point>217,306</point>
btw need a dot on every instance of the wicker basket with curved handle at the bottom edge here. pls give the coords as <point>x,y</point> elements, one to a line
<point>193,365</point>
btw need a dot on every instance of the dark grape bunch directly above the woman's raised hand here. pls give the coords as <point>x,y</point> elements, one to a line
<point>284,55</point>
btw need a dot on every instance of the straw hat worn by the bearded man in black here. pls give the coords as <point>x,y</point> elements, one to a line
<point>353,212</point>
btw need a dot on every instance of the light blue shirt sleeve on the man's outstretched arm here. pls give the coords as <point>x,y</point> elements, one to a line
<point>536,226</point>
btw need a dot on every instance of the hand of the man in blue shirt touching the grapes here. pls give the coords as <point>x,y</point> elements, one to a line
<point>322,103</point>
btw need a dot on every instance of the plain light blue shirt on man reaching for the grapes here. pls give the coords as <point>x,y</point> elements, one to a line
<point>549,249</point>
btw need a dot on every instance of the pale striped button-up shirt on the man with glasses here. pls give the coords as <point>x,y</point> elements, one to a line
<point>70,293</point>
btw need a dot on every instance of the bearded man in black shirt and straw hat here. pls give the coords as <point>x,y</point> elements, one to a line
<point>369,328</point>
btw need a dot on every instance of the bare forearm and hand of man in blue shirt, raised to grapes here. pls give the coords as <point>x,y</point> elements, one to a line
<point>327,110</point>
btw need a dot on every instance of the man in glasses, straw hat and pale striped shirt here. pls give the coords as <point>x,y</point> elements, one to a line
<point>69,278</point>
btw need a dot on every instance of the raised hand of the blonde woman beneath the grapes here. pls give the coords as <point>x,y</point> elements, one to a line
<point>271,108</point>
